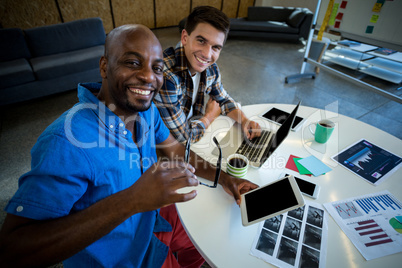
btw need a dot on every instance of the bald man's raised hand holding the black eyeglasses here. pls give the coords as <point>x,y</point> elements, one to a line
<point>158,186</point>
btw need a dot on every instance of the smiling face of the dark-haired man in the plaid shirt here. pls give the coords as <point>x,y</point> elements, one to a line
<point>202,47</point>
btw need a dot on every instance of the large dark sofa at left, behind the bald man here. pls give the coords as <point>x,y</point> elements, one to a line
<point>50,59</point>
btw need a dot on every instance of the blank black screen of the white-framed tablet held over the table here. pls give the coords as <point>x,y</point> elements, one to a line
<point>268,200</point>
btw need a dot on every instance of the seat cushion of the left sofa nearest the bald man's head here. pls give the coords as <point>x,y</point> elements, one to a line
<point>61,64</point>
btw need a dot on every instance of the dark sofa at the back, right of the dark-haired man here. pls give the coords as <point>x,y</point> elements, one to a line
<point>273,22</point>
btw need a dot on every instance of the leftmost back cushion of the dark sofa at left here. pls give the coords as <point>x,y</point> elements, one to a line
<point>13,45</point>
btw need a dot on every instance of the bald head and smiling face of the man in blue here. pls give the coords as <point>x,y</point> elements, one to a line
<point>132,71</point>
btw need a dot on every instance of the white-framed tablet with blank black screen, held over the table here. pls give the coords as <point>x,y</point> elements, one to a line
<point>270,200</point>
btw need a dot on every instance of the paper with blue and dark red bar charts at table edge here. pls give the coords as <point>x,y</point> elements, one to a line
<point>372,222</point>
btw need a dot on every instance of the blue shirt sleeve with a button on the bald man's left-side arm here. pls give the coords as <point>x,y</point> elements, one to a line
<point>56,185</point>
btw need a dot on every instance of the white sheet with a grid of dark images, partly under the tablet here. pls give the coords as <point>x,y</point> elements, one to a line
<point>297,238</point>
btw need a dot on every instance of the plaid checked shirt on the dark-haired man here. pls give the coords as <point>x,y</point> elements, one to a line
<point>175,97</point>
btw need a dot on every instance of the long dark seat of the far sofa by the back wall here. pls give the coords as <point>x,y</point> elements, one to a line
<point>260,26</point>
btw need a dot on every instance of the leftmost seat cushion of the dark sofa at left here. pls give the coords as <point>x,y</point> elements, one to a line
<point>15,72</point>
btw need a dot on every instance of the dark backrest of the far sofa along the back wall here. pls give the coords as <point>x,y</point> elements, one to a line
<point>269,13</point>
